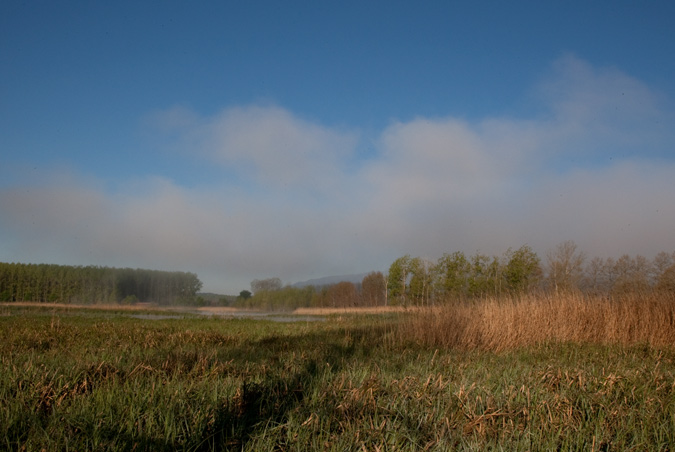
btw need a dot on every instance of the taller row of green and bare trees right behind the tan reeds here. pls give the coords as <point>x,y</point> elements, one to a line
<point>565,269</point>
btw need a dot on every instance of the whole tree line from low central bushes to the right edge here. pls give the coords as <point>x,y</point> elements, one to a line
<point>456,276</point>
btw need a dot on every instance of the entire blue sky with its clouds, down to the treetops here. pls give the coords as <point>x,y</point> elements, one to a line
<point>249,140</point>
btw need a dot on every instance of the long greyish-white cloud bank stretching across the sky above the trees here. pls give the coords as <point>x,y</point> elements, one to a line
<point>435,185</point>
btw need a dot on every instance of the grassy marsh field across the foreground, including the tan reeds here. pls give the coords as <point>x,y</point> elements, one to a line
<point>468,377</point>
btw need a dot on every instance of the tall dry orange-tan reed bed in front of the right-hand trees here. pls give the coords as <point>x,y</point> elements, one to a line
<point>499,324</point>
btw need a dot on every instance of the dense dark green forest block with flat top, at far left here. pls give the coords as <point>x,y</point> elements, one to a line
<point>86,285</point>
